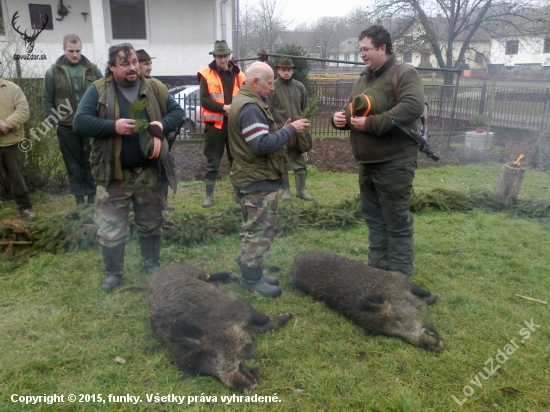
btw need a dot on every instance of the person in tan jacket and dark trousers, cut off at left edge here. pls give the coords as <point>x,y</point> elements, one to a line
<point>14,112</point>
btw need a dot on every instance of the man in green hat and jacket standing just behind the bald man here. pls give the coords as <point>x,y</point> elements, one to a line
<point>288,101</point>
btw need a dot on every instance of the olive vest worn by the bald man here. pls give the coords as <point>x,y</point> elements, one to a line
<point>247,168</point>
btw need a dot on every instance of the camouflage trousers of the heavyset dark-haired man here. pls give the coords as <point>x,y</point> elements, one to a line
<point>112,206</point>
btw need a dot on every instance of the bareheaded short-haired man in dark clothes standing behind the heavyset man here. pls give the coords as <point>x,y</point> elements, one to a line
<point>64,85</point>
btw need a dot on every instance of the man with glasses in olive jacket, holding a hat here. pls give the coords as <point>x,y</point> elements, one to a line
<point>387,158</point>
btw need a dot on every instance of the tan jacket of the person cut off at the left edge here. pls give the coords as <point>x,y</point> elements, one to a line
<point>14,110</point>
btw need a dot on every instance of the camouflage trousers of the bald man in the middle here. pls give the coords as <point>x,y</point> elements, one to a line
<point>259,212</point>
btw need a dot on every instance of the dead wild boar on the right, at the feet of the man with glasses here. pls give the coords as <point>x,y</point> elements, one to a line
<point>379,301</point>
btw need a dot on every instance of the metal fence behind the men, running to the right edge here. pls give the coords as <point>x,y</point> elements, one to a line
<point>508,107</point>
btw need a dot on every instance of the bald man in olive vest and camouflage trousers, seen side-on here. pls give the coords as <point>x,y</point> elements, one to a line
<point>257,171</point>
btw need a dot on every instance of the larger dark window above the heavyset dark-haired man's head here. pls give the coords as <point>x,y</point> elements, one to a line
<point>128,19</point>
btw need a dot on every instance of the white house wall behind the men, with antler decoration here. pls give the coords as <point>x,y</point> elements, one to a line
<point>180,34</point>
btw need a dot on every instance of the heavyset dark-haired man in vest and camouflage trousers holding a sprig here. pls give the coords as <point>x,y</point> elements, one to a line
<point>123,172</point>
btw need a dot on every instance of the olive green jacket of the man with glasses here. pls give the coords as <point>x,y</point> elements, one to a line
<point>381,141</point>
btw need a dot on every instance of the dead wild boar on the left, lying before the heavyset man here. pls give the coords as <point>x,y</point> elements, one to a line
<point>208,331</point>
